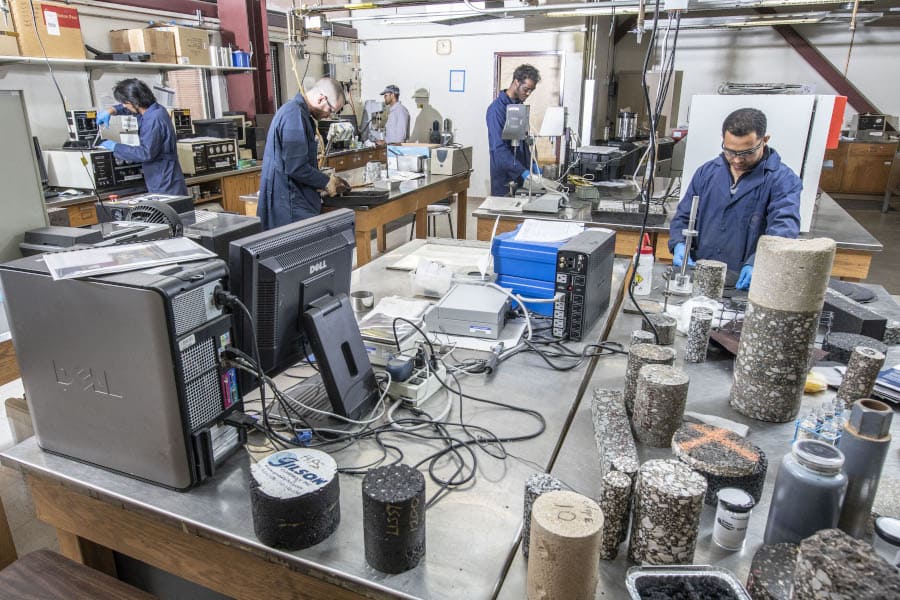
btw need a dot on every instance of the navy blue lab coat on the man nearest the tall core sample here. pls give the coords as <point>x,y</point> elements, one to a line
<point>731,218</point>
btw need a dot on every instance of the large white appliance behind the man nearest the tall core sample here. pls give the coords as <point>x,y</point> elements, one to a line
<point>798,126</point>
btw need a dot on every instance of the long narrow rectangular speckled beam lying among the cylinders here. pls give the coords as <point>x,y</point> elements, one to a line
<point>612,433</point>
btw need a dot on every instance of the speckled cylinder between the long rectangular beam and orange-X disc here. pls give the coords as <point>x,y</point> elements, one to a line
<point>659,404</point>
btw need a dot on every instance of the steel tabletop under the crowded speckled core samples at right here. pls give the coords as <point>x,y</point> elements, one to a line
<point>577,464</point>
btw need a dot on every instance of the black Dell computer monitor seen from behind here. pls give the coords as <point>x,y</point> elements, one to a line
<point>295,281</point>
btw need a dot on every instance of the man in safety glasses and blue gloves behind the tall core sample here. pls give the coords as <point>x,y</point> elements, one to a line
<point>746,192</point>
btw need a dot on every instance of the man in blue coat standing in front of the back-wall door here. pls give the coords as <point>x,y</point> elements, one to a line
<point>507,163</point>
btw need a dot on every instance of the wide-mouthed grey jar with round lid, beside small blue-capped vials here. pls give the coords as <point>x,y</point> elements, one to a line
<point>809,490</point>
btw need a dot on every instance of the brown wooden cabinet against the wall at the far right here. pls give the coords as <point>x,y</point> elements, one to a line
<point>859,168</point>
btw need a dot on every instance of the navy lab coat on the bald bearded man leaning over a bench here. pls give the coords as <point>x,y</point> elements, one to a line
<point>290,176</point>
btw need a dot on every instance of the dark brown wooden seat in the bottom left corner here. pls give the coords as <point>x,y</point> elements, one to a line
<point>50,576</point>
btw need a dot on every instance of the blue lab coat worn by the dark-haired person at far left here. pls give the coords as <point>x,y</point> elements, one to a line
<point>157,153</point>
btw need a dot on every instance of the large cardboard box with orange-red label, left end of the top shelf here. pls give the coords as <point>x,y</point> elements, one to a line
<point>57,24</point>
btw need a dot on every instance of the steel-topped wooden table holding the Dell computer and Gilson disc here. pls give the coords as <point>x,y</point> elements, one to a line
<point>205,535</point>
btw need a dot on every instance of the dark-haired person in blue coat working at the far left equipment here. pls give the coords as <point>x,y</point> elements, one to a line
<point>157,152</point>
